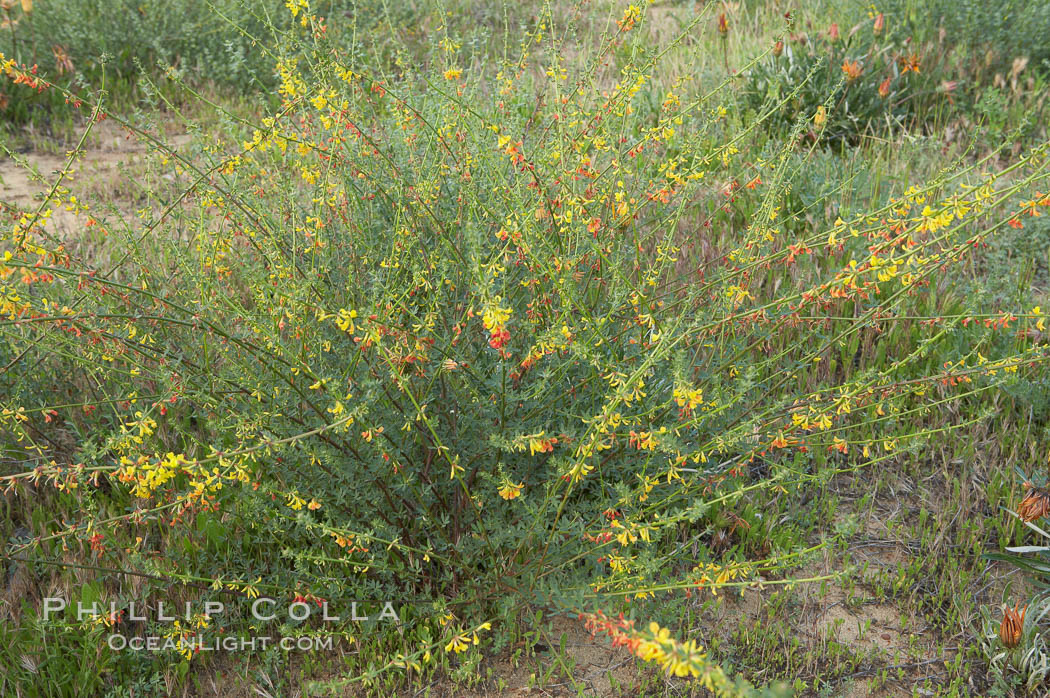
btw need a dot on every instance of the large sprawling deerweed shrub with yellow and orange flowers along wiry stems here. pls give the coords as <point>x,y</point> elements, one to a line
<point>489,335</point>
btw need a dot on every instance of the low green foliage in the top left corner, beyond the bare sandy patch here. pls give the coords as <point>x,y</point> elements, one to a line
<point>132,48</point>
